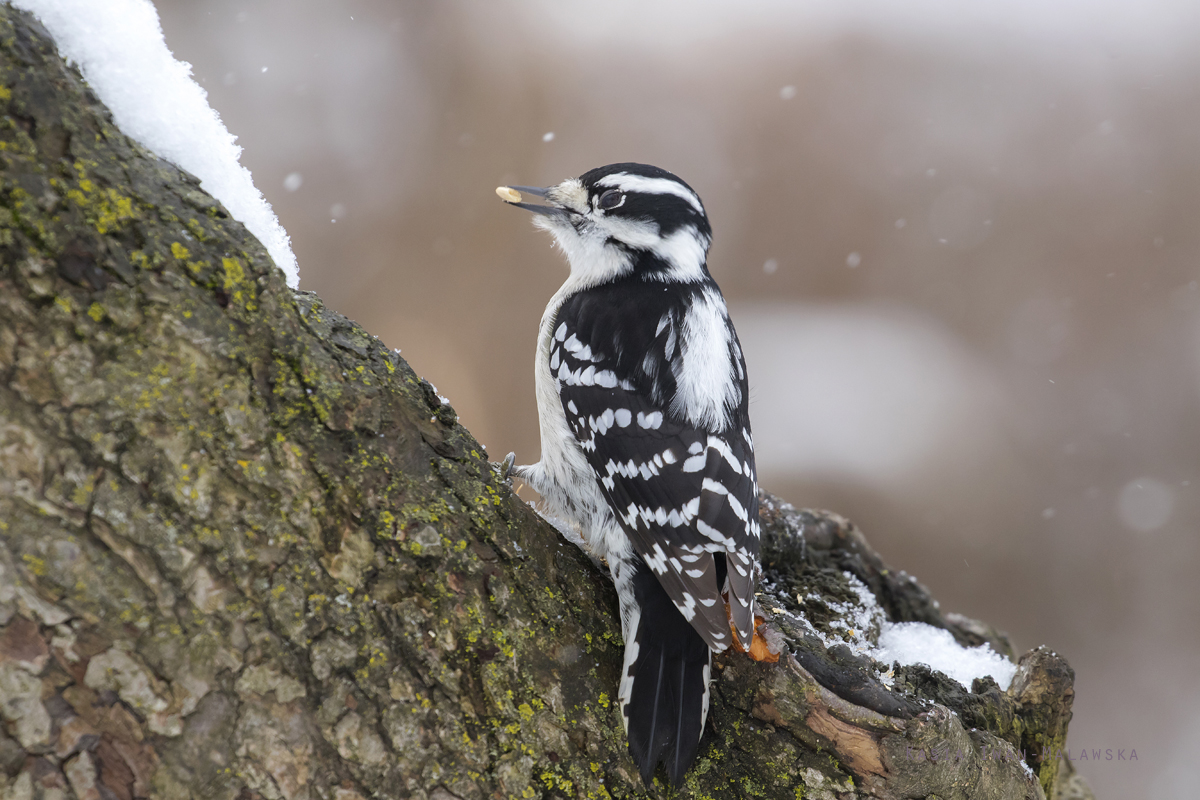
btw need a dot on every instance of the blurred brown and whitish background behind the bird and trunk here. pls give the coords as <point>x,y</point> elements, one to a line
<point>961,245</point>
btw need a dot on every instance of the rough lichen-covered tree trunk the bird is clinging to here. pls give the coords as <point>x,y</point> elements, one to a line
<point>245,552</point>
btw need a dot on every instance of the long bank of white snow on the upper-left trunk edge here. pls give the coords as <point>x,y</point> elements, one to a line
<point>119,47</point>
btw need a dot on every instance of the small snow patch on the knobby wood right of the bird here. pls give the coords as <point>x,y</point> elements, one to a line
<point>913,643</point>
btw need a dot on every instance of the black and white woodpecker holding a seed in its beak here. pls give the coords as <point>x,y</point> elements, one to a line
<point>646,444</point>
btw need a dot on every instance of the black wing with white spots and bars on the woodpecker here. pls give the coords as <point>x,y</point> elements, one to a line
<point>682,494</point>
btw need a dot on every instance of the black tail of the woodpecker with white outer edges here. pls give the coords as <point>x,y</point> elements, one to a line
<point>664,688</point>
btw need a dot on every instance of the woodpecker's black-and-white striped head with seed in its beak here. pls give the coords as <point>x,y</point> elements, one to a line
<point>622,220</point>
